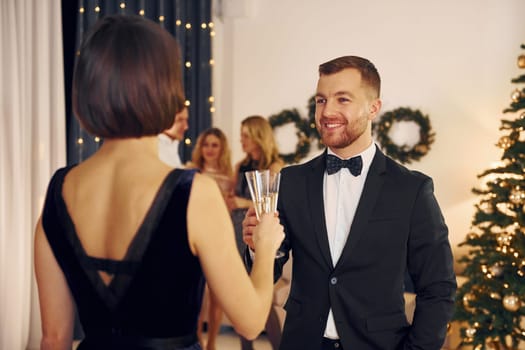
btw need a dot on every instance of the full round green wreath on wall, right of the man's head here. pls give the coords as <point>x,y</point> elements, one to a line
<point>404,153</point>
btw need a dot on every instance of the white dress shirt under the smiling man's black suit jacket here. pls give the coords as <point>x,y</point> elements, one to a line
<point>341,194</point>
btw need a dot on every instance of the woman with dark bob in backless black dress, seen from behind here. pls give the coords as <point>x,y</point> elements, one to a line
<point>122,235</point>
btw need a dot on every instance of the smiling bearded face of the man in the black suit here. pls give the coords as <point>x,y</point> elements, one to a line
<point>344,110</point>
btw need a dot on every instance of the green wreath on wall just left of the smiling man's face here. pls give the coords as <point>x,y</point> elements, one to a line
<point>303,133</point>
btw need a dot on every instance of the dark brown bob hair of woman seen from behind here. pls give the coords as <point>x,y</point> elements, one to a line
<point>128,78</point>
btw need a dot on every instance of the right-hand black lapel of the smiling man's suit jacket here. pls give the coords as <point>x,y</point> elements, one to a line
<point>371,190</point>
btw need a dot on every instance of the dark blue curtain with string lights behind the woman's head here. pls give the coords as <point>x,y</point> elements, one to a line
<point>188,20</point>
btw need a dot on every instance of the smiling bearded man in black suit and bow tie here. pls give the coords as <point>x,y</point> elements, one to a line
<point>354,232</point>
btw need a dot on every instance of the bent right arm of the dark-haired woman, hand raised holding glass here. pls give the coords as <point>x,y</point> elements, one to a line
<point>212,240</point>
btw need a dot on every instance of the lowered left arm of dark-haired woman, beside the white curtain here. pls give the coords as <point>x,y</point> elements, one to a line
<point>56,302</point>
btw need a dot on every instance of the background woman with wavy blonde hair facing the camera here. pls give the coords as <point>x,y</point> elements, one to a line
<point>212,156</point>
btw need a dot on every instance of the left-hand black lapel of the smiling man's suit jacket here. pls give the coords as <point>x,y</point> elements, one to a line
<point>315,199</point>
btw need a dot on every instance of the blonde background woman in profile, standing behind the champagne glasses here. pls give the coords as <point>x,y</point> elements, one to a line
<point>261,152</point>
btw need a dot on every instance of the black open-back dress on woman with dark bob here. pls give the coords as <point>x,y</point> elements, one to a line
<point>154,298</point>
